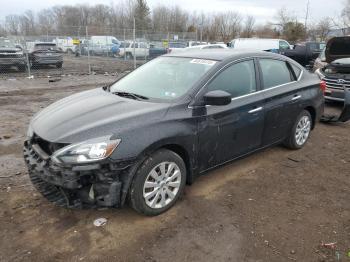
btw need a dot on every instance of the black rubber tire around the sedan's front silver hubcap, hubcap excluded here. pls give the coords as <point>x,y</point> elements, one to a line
<point>136,199</point>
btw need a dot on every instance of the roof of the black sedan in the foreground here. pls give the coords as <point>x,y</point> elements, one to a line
<point>220,54</point>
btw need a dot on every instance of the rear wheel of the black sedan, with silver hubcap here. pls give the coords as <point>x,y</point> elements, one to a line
<point>302,126</point>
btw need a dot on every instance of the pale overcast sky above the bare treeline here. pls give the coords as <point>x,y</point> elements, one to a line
<point>262,10</point>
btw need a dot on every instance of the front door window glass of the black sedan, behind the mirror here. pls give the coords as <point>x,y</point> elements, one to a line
<point>238,79</point>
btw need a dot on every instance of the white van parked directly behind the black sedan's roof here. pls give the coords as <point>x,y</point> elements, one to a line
<point>261,44</point>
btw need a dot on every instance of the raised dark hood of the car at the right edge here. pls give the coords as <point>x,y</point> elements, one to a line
<point>337,48</point>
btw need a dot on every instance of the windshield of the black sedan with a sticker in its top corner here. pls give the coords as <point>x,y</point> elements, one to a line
<point>164,78</point>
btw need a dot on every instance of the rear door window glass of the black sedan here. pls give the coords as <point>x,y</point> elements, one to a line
<point>275,73</point>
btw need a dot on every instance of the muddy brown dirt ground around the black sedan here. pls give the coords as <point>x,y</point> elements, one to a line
<point>276,205</point>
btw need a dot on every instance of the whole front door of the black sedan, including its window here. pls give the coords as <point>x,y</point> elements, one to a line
<point>227,132</point>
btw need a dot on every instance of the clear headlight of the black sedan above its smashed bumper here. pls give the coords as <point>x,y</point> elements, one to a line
<point>88,151</point>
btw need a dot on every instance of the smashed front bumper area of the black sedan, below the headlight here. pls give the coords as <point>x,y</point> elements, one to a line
<point>102,184</point>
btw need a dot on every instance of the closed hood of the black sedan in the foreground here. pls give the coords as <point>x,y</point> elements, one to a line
<point>92,114</point>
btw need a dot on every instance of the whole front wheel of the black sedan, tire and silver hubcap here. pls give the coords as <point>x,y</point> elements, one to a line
<point>162,191</point>
